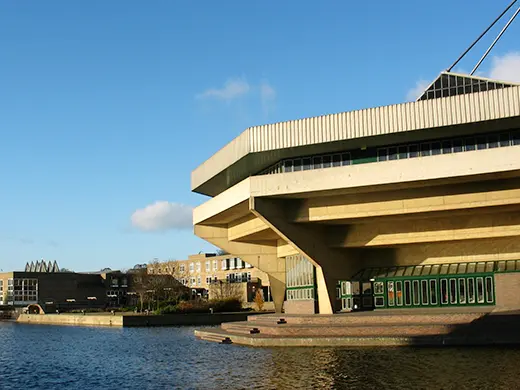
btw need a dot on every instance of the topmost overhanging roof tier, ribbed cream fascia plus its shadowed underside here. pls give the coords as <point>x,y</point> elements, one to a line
<point>261,146</point>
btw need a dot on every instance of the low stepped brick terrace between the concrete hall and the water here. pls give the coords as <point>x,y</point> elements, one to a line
<point>369,329</point>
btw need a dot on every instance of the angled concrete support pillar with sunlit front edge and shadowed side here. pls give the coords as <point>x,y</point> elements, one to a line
<point>331,264</point>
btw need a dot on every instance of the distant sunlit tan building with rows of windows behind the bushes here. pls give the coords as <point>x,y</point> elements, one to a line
<point>205,274</point>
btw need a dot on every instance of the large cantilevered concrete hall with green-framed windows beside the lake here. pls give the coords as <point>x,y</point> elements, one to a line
<point>409,205</point>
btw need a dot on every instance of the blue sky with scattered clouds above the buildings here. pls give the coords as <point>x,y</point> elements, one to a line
<point>107,106</point>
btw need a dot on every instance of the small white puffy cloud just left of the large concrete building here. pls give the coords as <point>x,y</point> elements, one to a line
<point>163,215</point>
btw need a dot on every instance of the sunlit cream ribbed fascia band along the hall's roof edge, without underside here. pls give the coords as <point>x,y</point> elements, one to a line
<point>454,110</point>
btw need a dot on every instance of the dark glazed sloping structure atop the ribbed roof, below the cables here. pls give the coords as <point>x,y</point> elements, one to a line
<point>454,84</point>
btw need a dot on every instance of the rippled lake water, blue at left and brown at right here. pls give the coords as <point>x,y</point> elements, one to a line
<point>52,357</point>
